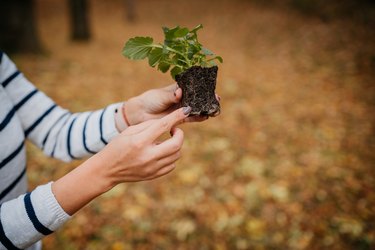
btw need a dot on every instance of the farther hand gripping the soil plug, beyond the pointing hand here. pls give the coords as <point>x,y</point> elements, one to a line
<point>154,104</point>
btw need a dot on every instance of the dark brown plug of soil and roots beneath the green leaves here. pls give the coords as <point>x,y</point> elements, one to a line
<point>198,90</point>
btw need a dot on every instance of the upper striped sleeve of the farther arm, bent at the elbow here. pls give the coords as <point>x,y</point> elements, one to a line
<point>58,132</point>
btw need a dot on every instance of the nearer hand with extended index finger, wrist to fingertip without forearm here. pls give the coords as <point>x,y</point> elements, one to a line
<point>137,155</point>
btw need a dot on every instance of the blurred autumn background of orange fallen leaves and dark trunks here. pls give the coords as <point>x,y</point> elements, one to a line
<point>289,163</point>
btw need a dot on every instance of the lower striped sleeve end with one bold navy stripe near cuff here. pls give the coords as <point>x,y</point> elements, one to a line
<point>30,217</point>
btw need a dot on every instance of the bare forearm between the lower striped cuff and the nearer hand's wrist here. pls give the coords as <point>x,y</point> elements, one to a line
<point>83,184</point>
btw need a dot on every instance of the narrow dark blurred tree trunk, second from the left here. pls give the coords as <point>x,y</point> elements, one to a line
<point>79,16</point>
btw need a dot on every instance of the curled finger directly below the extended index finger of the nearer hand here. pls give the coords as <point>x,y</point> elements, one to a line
<point>171,145</point>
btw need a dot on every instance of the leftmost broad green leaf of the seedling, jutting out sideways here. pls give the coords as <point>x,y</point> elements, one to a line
<point>138,48</point>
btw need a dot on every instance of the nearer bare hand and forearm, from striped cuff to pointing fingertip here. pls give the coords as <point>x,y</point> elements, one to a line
<point>134,155</point>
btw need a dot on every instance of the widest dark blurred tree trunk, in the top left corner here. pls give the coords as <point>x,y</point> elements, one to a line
<point>18,31</point>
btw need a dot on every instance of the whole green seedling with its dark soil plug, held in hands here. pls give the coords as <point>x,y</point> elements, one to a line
<point>191,65</point>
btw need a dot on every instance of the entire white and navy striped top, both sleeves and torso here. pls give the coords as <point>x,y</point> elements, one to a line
<point>27,113</point>
